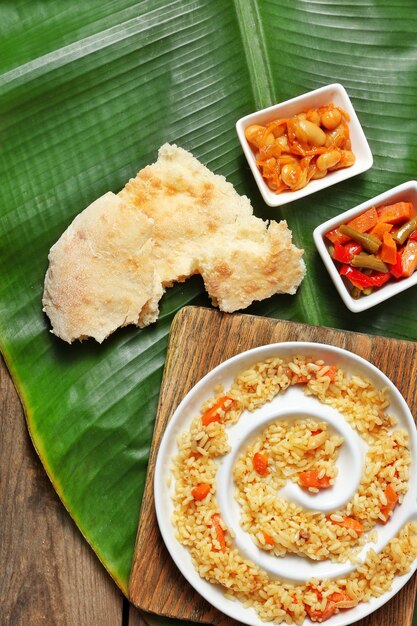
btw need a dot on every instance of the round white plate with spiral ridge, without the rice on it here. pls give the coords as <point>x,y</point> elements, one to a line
<point>350,464</point>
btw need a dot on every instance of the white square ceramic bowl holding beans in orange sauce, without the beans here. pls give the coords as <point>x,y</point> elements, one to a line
<point>330,93</point>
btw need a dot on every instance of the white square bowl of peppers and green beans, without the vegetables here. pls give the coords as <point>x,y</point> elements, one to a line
<point>405,192</point>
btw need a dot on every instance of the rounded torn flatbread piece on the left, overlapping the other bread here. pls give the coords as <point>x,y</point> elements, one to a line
<point>101,274</point>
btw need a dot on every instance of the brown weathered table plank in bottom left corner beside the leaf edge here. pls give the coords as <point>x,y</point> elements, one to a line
<point>49,573</point>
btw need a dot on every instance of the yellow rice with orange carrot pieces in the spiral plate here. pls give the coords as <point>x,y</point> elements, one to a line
<point>304,451</point>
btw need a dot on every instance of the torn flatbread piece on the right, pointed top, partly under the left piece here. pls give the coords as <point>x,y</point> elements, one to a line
<point>203,226</point>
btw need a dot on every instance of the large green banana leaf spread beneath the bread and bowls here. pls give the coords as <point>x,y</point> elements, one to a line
<point>88,92</point>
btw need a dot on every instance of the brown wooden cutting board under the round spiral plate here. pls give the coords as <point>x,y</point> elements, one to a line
<point>200,339</point>
